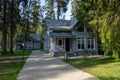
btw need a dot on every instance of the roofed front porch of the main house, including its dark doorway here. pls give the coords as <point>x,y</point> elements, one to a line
<point>62,43</point>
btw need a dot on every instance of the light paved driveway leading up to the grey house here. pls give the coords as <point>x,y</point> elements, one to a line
<point>41,66</point>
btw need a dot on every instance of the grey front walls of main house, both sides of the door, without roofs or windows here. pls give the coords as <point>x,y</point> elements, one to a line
<point>50,44</point>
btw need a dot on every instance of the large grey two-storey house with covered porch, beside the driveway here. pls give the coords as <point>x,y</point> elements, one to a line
<point>67,36</point>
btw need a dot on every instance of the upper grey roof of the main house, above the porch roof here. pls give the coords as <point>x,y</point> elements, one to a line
<point>60,24</point>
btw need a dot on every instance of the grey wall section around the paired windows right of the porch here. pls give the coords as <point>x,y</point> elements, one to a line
<point>85,35</point>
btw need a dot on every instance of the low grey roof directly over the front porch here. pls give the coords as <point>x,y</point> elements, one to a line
<point>62,35</point>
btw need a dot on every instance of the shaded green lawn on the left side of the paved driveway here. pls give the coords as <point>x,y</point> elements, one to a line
<point>9,68</point>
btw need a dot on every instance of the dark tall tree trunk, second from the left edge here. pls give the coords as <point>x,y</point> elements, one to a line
<point>11,27</point>
